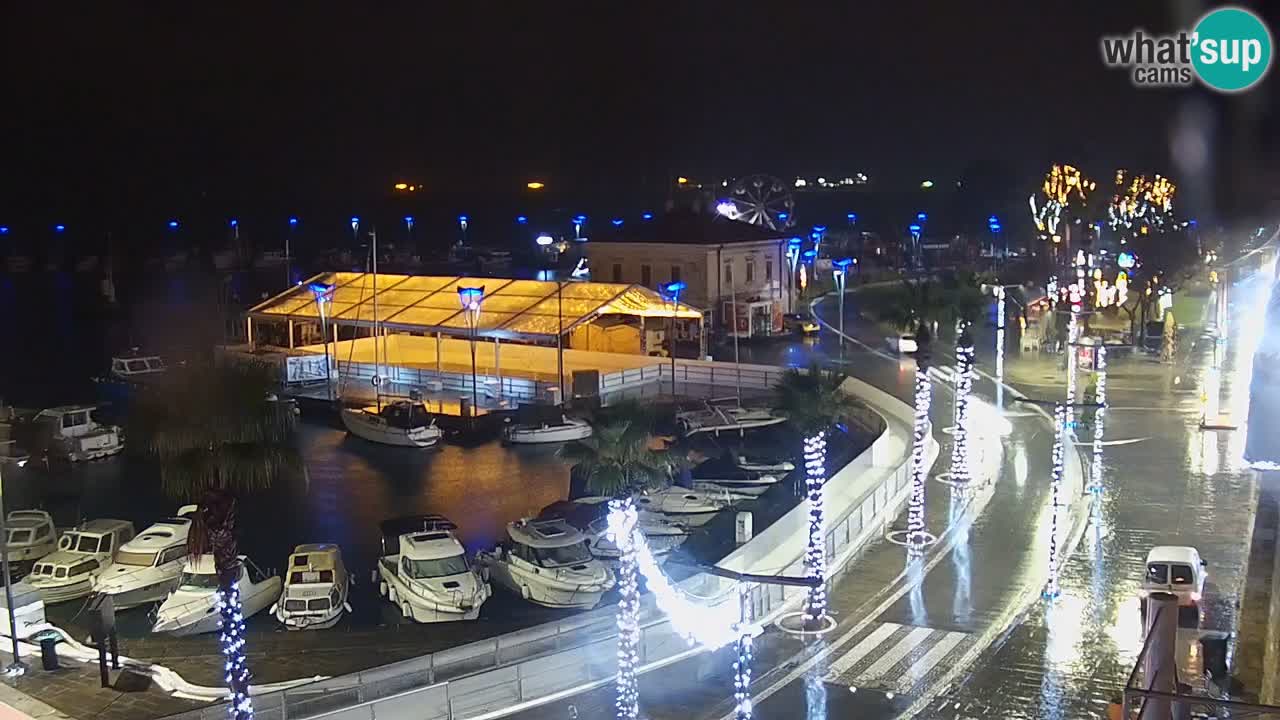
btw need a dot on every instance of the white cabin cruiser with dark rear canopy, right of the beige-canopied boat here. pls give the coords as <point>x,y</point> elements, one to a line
<point>424,571</point>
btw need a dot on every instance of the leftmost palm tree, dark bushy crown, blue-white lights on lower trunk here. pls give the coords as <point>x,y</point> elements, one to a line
<point>217,432</point>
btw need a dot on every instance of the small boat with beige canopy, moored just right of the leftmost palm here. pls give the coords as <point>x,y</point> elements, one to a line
<point>317,587</point>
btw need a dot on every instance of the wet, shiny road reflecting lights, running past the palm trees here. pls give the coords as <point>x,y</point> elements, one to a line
<point>964,631</point>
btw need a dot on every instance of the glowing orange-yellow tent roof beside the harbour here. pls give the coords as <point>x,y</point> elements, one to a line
<point>511,308</point>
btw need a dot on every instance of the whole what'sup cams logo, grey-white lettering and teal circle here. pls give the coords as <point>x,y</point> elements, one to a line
<point>1229,51</point>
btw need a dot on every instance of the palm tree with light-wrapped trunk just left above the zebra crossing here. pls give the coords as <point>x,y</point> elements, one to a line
<point>813,403</point>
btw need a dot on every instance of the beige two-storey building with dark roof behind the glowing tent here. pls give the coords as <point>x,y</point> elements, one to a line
<point>724,265</point>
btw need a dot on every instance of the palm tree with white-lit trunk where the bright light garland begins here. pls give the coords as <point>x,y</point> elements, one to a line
<point>618,461</point>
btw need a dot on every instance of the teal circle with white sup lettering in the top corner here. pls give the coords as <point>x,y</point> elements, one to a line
<point>1232,49</point>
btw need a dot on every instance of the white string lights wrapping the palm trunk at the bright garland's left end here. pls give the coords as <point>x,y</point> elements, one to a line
<point>624,514</point>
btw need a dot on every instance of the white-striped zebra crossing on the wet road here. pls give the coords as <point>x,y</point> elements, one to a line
<point>894,658</point>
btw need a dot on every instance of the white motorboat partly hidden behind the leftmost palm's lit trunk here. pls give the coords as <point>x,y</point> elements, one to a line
<point>193,608</point>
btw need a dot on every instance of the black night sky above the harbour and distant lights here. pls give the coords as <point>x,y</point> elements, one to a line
<point>131,110</point>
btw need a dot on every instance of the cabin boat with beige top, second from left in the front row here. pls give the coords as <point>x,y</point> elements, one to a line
<point>83,555</point>
